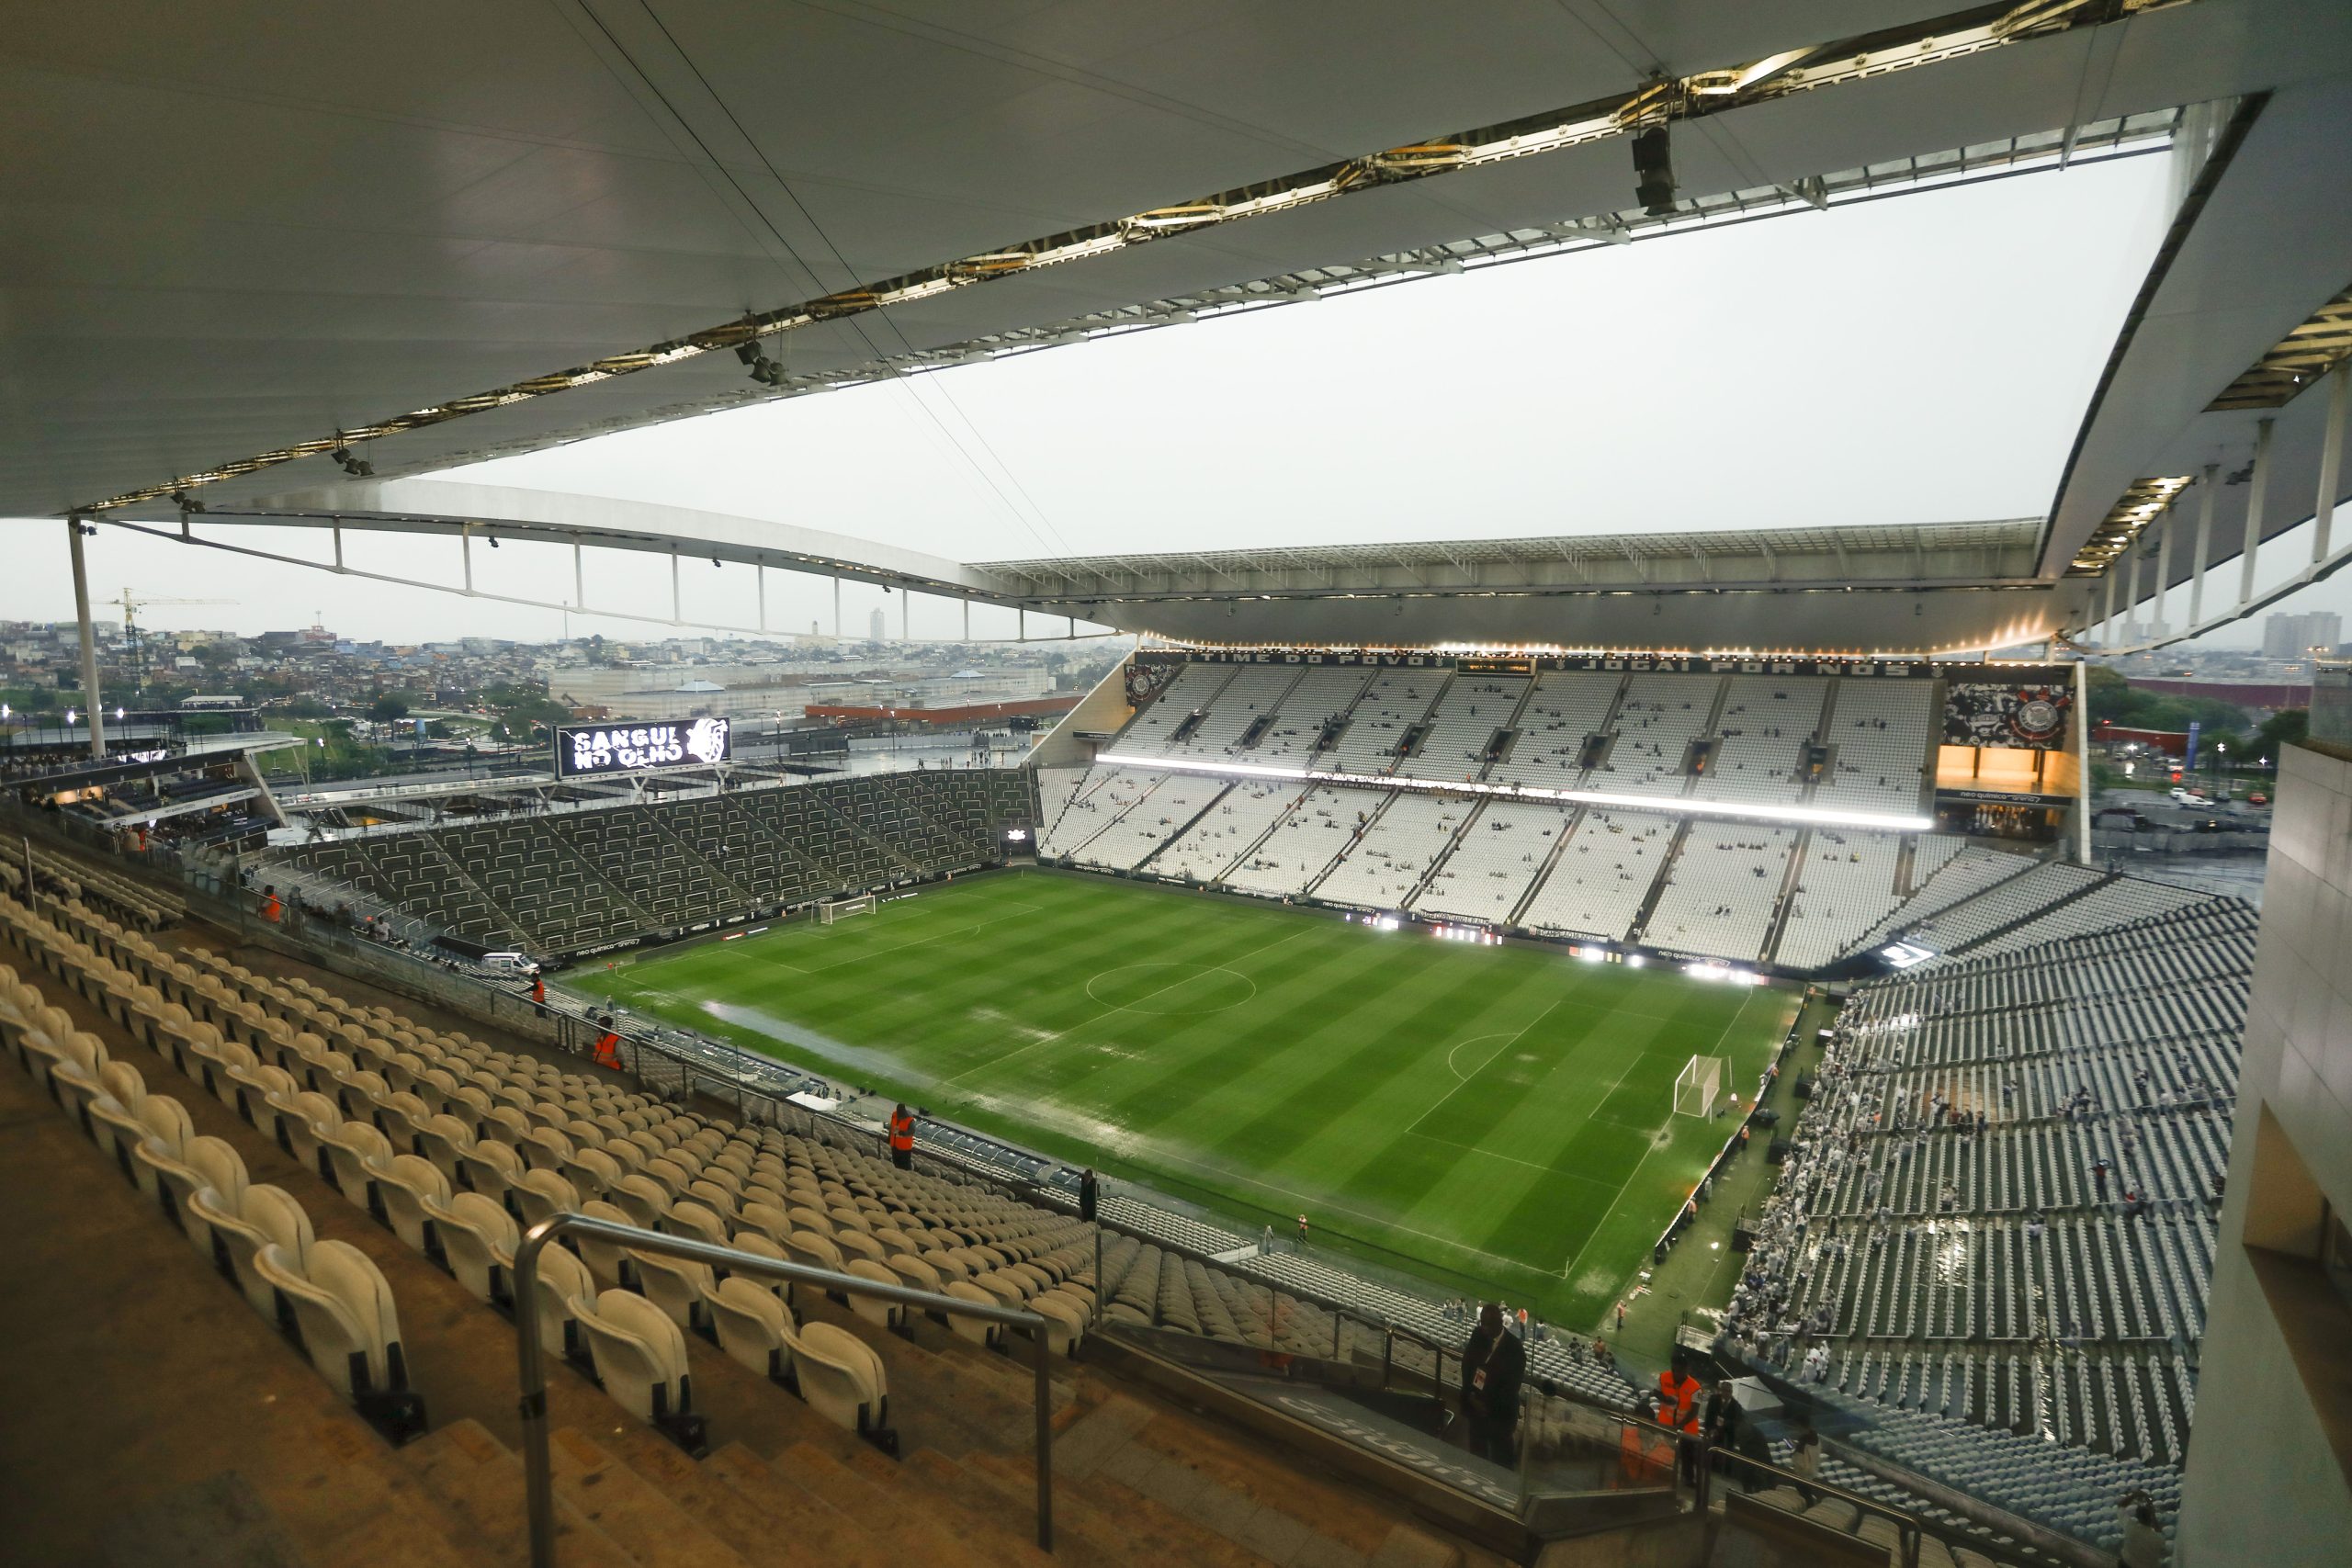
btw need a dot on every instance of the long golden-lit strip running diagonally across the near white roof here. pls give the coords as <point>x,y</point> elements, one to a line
<point>1648,107</point>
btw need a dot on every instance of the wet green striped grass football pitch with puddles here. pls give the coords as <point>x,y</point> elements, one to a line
<point>1492,1115</point>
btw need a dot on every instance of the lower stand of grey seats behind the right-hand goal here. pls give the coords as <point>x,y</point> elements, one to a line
<point>1996,1235</point>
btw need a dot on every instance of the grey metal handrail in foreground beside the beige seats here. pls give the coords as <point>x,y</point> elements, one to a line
<point>537,1475</point>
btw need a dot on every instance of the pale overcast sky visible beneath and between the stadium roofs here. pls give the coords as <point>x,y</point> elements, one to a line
<point>1904,361</point>
